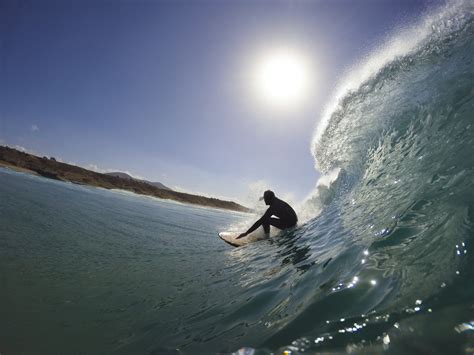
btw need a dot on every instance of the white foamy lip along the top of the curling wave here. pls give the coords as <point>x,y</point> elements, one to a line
<point>408,48</point>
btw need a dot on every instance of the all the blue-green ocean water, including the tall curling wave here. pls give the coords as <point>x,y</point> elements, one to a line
<point>382,261</point>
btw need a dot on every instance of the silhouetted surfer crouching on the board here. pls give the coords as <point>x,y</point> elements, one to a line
<point>286,216</point>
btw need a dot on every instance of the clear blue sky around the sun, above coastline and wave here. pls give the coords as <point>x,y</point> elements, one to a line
<point>165,90</point>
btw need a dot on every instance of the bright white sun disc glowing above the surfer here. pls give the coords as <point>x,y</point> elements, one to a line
<point>282,78</point>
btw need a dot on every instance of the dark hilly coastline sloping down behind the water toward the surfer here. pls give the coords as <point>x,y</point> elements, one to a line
<point>50,168</point>
